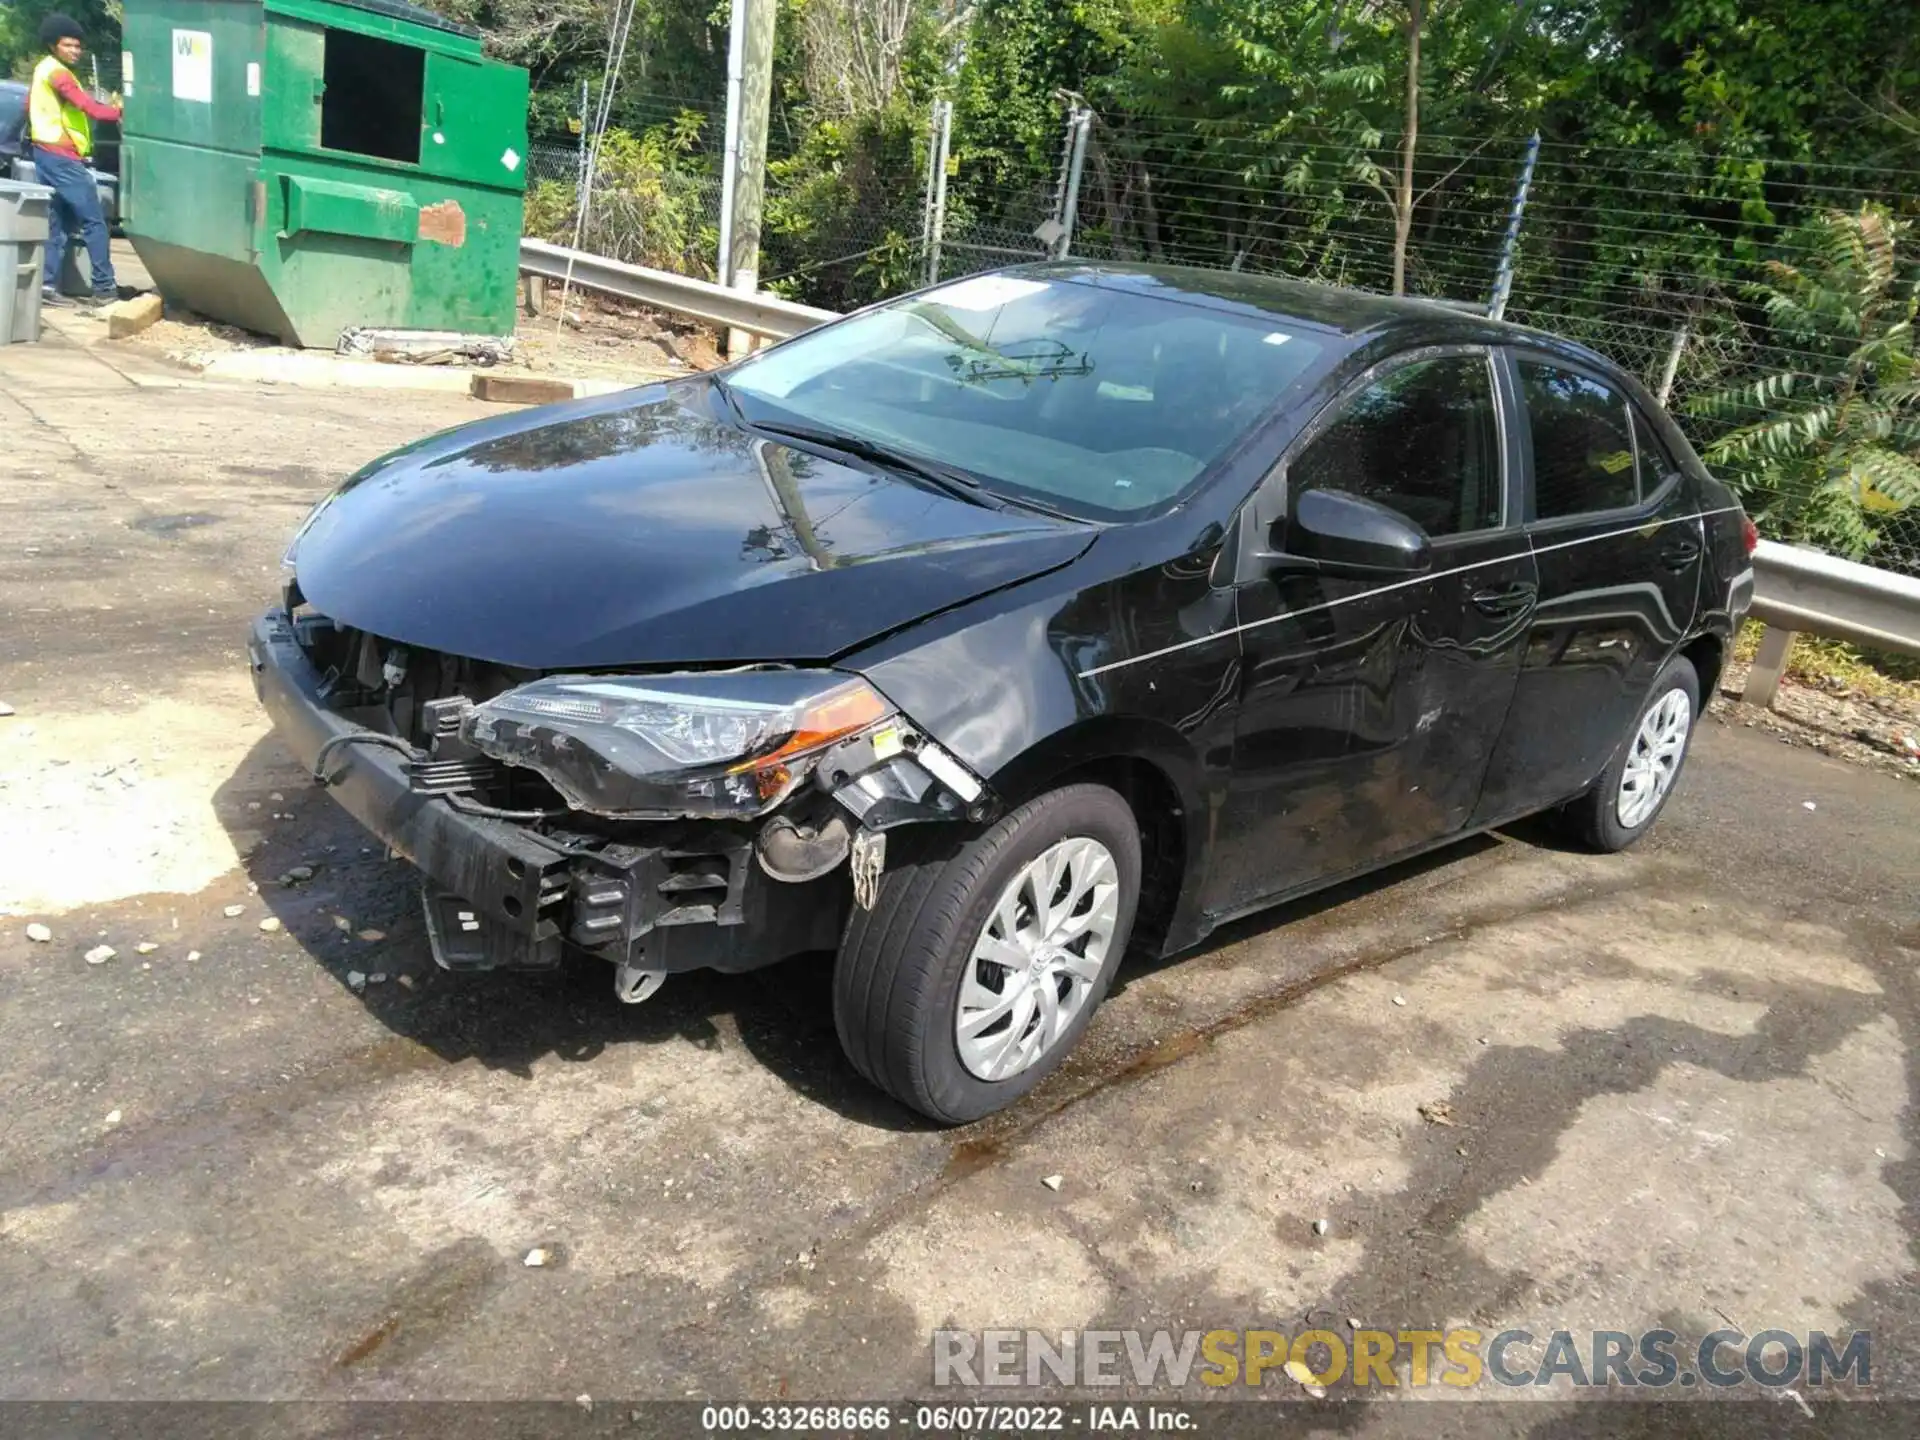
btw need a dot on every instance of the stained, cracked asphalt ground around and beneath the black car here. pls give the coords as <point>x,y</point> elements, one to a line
<point>1673,1088</point>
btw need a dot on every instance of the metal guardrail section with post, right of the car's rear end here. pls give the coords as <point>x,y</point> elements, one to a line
<point>1808,592</point>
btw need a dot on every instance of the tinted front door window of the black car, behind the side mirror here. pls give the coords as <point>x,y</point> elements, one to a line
<point>1422,441</point>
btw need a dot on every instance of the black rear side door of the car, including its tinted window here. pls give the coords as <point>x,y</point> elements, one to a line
<point>1618,537</point>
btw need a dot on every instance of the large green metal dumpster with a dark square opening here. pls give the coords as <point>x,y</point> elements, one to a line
<point>310,166</point>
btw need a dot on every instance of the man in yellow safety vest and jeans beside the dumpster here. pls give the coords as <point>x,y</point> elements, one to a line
<point>60,118</point>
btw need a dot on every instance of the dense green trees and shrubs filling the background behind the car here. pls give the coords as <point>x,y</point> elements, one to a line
<point>1692,155</point>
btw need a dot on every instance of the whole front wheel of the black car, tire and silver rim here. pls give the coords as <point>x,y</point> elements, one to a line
<point>978,971</point>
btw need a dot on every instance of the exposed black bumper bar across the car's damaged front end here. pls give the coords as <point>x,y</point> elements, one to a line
<point>506,898</point>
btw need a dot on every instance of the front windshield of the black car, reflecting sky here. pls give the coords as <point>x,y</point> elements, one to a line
<point>1103,402</point>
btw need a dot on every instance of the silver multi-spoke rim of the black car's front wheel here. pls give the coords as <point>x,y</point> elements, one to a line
<point>1036,963</point>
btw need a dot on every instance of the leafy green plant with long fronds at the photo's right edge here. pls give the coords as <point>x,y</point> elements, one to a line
<point>1827,450</point>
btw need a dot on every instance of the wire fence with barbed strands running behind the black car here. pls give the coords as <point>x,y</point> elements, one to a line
<point>1666,262</point>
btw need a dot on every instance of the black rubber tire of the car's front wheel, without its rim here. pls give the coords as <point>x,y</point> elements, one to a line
<point>898,980</point>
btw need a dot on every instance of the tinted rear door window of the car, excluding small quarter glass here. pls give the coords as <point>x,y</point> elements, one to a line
<point>1583,444</point>
